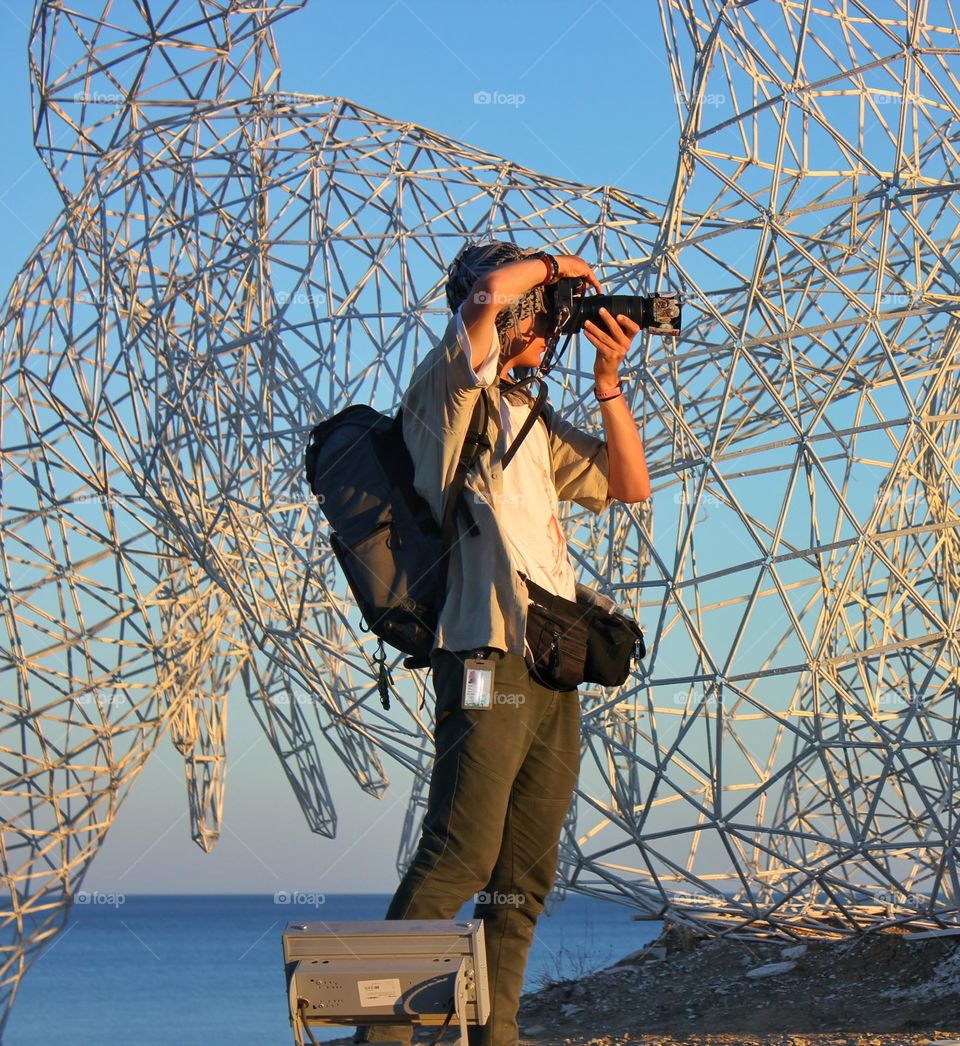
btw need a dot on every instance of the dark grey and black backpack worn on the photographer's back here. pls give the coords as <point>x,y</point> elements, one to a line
<point>393,553</point>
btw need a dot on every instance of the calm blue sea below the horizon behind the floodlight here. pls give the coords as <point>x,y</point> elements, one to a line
<point>200,970</point>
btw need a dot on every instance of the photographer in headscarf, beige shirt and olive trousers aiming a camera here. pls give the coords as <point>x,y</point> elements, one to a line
<point>507,762</point>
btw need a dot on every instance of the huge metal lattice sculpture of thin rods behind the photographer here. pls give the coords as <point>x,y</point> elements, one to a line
<point>233,263</point>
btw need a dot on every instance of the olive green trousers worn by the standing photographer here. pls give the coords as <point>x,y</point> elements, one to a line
<point>500,790</point>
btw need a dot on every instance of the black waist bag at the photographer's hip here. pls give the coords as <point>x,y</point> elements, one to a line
<point>583,642</point>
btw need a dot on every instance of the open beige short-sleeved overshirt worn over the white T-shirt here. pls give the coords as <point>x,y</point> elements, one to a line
<point>487,600</point>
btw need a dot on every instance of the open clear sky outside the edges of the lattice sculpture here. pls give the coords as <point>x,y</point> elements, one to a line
<point>575,90</point>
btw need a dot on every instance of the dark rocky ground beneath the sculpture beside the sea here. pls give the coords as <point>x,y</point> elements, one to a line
<point>884,989</point>
